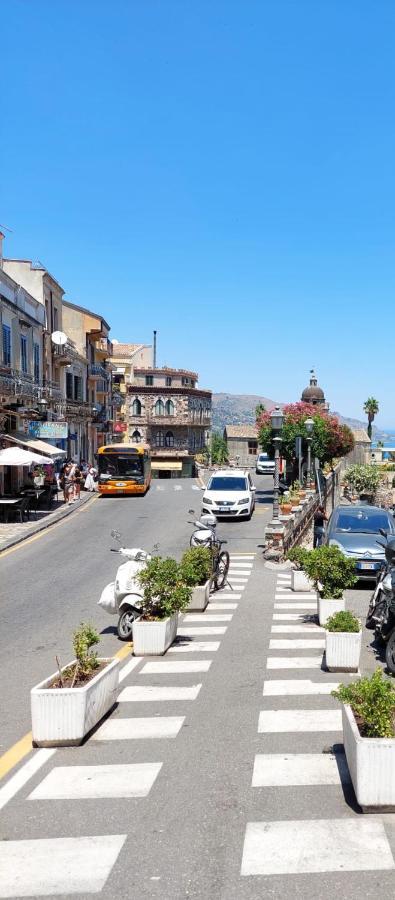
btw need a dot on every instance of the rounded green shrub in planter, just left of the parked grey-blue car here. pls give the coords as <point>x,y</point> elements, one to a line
<point>330,571</point>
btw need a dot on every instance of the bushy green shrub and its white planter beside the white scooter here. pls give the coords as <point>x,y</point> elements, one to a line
<point>165,594</point>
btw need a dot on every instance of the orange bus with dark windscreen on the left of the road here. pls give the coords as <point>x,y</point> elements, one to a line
<point>124,469</point>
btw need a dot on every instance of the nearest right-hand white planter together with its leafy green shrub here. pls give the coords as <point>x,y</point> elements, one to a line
<point>369,739</point>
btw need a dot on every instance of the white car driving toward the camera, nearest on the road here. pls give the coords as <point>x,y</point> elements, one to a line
<point>230,492</point>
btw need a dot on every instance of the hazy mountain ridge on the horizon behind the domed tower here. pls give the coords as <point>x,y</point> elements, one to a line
<point>239,409</point>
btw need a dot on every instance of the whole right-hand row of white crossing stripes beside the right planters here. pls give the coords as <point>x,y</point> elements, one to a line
<point>300,715</point>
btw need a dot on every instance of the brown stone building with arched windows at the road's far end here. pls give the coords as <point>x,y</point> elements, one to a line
<point>168,411</point>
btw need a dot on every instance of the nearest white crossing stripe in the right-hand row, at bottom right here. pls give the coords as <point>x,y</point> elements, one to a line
<point>320,845</point>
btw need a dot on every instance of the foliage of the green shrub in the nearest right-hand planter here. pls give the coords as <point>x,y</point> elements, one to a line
<point>372,701</point>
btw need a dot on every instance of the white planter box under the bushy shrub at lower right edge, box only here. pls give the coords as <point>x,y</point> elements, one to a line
<point>371,762</point>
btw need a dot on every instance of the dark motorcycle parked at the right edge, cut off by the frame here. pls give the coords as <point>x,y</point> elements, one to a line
<point>381,612</point>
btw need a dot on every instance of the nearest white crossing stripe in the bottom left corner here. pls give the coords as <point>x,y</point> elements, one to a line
<point>53,866</point>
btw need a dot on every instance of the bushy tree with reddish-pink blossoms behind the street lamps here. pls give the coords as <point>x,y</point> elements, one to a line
<point>330,439</point>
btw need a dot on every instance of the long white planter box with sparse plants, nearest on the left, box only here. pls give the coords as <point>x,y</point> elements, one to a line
<point>63,716</point>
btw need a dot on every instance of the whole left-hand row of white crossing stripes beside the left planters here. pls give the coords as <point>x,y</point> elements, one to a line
<point>67,865</point>
